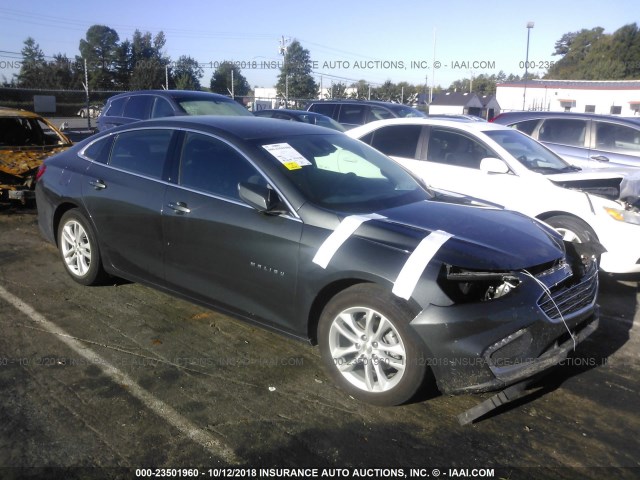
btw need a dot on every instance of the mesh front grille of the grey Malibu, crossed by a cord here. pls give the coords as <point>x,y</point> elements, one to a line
<point>570,298</point>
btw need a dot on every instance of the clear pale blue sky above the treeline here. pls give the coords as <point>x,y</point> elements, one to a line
<point>375,40</point>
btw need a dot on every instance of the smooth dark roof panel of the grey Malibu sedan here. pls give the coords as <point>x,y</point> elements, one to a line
<point>241,127</point>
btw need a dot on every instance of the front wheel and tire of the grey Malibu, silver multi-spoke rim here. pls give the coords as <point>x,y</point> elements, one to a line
<point>368,347</point>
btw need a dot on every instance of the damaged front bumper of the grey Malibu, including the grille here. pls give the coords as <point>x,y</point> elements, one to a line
<point>490,345</point>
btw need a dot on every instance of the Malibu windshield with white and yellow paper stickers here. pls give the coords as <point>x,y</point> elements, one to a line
<point>342,174</point>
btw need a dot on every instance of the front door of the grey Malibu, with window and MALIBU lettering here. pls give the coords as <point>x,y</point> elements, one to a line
<point>220,250</point>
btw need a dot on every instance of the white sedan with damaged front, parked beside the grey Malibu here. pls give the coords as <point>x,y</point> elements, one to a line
<point>504,166</point>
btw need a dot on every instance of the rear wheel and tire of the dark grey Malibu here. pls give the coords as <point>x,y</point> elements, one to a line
<point>79,249</point>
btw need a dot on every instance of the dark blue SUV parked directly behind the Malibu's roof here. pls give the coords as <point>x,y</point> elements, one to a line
<point>145,104</point>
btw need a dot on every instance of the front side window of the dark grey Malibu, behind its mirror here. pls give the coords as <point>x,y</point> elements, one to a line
<point>212,166</point>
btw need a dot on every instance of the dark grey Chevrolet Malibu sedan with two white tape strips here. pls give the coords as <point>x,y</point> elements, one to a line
<point>319,236</point>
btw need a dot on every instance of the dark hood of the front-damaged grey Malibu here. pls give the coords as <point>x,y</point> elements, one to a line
<point>483,238</point>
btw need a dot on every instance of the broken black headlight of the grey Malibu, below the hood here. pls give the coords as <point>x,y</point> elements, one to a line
<point>463,285</point>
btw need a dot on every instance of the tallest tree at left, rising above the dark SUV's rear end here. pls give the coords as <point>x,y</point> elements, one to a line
<point>99,49</point>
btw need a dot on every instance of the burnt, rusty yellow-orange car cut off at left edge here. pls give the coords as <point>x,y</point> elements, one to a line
<point>26,139</point>
